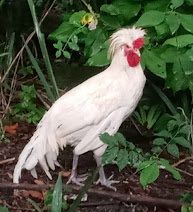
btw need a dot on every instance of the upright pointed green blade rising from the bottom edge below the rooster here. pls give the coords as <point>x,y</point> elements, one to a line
<point>57,196</point>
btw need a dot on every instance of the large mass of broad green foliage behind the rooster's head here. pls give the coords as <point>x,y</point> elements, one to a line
<point>169,43</point>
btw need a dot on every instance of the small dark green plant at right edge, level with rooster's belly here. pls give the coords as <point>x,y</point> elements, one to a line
<point>176,133</point>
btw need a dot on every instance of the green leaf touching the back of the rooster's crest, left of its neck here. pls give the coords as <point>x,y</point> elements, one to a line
<point>99,59</point>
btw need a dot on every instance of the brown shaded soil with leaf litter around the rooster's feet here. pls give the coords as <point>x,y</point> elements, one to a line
<point>165,187</point>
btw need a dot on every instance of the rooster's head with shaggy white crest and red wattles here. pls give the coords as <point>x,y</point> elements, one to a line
<point>129,41</point>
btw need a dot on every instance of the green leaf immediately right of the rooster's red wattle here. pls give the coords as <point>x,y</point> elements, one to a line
<point>155,64</point>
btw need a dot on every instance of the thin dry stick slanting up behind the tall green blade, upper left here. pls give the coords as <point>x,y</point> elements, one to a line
<point>26,42</point>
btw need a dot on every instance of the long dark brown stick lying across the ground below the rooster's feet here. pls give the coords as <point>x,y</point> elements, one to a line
<point>150,201</point>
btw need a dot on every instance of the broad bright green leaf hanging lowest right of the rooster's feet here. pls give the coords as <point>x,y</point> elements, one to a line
<point>149,174</point>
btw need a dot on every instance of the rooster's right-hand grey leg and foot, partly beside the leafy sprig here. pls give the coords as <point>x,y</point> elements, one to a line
<point>102,178</point>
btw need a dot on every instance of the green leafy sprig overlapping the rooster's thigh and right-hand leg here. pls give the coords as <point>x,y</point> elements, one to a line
<point>120,151</point>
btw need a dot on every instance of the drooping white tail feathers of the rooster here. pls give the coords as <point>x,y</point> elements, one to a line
<point>37,150</point>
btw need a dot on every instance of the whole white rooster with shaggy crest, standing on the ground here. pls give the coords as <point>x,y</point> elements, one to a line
<point>98,105</point>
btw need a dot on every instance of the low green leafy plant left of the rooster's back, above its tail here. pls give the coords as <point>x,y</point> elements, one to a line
<point>27,109</point>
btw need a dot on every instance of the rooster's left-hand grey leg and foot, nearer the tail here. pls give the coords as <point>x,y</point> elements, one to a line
<point>74,177</point>
